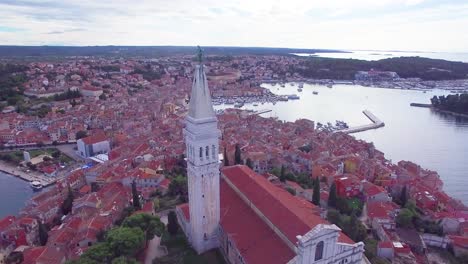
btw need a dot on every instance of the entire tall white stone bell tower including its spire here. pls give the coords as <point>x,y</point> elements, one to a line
<point>203,167</point>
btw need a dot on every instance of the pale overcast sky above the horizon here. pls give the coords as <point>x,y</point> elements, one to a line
<point>411,25</point>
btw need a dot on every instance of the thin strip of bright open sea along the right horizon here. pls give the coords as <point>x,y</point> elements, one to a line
<point>378,55</point>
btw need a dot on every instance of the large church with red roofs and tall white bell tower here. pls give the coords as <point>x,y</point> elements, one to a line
<point>240,212</point>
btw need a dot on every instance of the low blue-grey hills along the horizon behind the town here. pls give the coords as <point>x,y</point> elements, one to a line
<point>143,51</point>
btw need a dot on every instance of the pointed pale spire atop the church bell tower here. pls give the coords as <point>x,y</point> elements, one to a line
<point>200,106</point>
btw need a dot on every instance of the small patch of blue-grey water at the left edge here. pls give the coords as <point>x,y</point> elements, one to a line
<point>14,193</point>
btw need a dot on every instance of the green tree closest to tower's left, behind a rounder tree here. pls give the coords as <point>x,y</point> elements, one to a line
<point>151,225</point>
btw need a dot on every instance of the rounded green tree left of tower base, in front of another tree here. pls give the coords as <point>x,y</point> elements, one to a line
<point>125,241</point>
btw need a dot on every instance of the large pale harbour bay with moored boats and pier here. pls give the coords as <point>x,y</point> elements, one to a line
<point>435,141</point>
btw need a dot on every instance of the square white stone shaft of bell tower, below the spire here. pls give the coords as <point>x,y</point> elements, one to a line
<point>202,148</point>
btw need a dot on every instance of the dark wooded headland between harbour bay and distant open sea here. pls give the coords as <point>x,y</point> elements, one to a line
<point>406,67</point>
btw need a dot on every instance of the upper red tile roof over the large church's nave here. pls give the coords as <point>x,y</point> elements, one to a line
<point>291,215</point>
